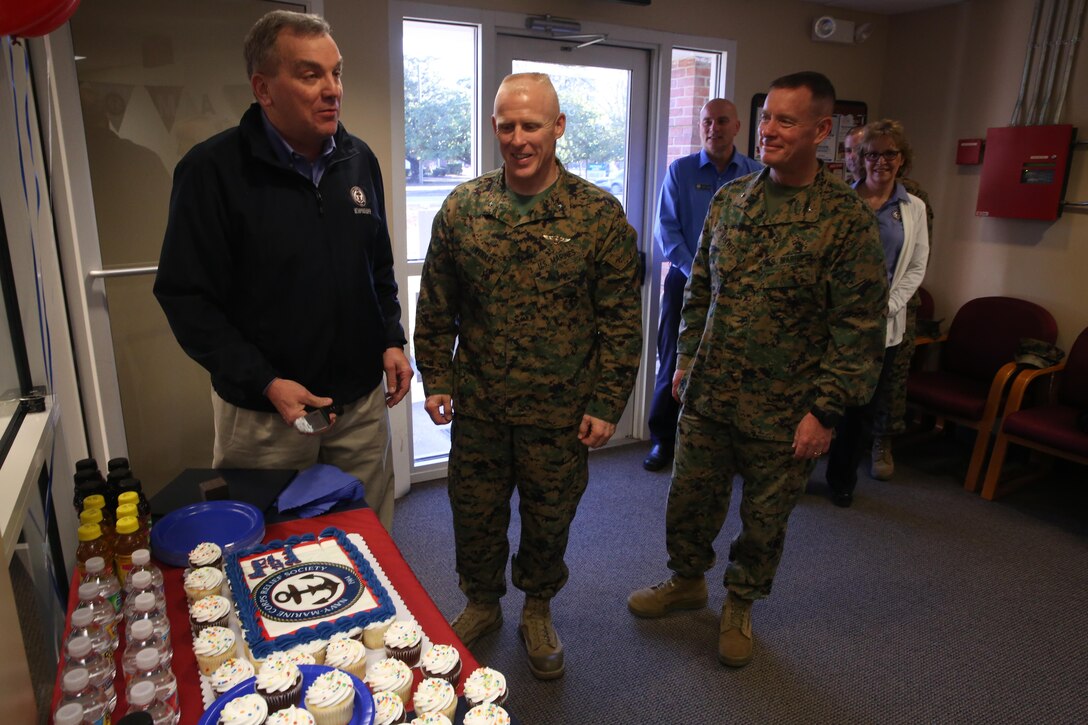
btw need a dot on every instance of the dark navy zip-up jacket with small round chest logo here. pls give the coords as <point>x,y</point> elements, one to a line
<point>263,275</point>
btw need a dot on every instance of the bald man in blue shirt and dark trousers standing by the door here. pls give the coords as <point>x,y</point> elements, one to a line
<point>689,187</point>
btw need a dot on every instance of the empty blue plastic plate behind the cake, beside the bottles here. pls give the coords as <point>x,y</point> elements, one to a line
<point>230,524</point>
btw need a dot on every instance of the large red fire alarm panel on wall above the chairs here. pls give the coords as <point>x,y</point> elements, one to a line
<point>1025,173</point>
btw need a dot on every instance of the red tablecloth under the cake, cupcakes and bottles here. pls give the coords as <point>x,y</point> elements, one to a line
<point>363,522</point>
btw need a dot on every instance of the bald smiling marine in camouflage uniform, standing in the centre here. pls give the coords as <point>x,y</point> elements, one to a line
<point>529,326</point>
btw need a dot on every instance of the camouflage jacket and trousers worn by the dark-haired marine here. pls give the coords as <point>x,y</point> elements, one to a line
<point>784,314</point>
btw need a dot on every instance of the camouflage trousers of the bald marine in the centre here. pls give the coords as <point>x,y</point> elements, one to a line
<point>550,469</point>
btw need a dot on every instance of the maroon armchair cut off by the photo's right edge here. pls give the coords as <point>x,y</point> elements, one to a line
<point>1056,427</point>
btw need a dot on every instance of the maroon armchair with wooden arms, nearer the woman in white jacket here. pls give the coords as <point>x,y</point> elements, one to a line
<point>975,367</point>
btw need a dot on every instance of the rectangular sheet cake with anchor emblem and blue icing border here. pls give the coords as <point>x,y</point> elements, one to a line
<point>304,588</point>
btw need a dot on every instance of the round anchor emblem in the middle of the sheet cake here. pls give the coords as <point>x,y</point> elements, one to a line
<point>308,592</point>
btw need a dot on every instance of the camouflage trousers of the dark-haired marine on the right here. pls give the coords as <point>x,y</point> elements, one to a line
<point>709,454</point>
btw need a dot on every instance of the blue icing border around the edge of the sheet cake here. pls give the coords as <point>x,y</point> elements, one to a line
<point>248,610</point>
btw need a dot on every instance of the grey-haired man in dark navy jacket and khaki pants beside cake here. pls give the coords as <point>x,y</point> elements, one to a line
<point>277,271</point>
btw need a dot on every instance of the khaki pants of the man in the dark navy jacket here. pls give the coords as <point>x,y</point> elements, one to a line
<point>358,445</point>
